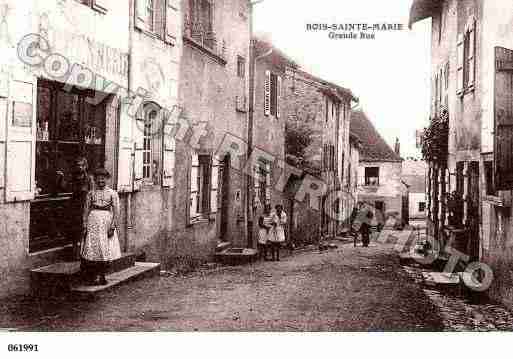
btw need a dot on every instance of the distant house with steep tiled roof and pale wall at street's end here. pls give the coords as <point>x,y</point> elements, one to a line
<point>379,171</point>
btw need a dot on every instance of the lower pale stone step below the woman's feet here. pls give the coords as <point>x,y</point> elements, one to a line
<point>137,271</point>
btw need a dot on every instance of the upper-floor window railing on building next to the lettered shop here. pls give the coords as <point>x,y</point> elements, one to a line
<point>203,38</point>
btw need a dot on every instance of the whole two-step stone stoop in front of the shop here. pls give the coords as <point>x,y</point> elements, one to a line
<point>66,278</point>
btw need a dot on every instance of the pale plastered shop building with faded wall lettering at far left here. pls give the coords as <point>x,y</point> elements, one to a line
<point>90,83</point>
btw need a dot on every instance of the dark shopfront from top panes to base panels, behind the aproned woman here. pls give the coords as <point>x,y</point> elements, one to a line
<point>68,127</point>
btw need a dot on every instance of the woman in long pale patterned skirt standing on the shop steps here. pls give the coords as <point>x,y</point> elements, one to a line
<point>101,244</point>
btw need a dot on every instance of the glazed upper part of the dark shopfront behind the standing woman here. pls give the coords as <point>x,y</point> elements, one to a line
<point>67,127</point>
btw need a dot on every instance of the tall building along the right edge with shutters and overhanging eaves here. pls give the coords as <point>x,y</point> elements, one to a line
<point>472,53</point>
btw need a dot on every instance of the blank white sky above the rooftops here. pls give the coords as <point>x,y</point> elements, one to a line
<point>390,74</point>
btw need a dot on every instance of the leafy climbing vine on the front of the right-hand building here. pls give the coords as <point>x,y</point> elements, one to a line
<point>435,142</point>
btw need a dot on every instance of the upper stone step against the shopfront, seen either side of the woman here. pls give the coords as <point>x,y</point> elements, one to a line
<point>60,276</point>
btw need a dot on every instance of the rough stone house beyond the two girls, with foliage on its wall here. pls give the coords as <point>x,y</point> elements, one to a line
<point>320,110</point>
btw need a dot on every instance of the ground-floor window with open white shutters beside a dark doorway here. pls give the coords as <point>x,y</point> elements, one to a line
<point>204,178</point>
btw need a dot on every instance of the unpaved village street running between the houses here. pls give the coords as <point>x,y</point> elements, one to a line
<point>354,289</point>
